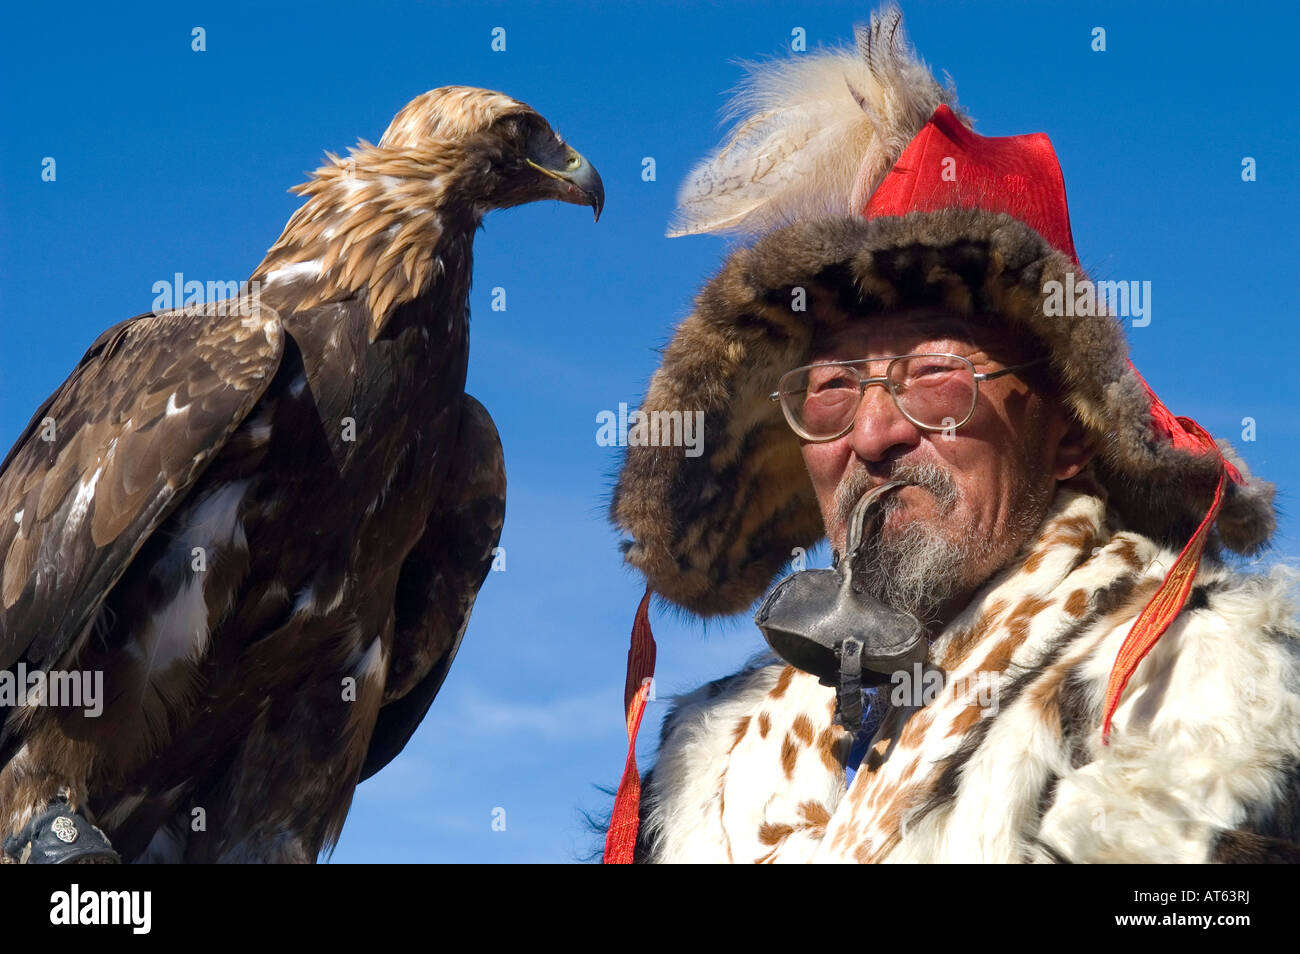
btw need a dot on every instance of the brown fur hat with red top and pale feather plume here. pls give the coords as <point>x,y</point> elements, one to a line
<point>855,214</point>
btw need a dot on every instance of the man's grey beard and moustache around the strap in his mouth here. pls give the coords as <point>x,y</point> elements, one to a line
<point>918,569</point>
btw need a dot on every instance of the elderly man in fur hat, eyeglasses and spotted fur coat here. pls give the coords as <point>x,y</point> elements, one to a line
<point>1090,683</point>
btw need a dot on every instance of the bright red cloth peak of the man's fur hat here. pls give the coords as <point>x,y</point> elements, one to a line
<point>948,166</point>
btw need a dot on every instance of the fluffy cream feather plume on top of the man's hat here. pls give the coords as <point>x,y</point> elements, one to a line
<point>817,135</point>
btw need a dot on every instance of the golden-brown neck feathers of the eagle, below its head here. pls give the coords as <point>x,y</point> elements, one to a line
<point>375,223</point>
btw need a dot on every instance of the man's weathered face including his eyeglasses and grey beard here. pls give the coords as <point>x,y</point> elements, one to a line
<point>981,457</point>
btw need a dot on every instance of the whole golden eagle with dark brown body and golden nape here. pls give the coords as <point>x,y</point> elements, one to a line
<point>262,524</point>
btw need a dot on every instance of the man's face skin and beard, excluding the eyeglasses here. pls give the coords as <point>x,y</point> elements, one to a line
<point>977,493</point>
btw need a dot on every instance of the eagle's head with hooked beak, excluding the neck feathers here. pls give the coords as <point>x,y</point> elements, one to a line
<point>508,153</point>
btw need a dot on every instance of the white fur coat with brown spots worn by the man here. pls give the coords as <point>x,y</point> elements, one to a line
<point>1007,764</point>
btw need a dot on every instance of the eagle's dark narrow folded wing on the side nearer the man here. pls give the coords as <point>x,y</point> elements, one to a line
<point>440,580</point>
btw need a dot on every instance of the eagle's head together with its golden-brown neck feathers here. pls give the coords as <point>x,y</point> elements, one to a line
<point>389,219</point>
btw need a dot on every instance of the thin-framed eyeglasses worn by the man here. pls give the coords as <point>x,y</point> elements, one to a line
<point>934,392</point>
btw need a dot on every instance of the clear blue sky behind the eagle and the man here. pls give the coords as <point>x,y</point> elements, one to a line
<point>172,161</point>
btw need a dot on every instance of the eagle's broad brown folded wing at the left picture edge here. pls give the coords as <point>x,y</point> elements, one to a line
<point>111,453</point>
